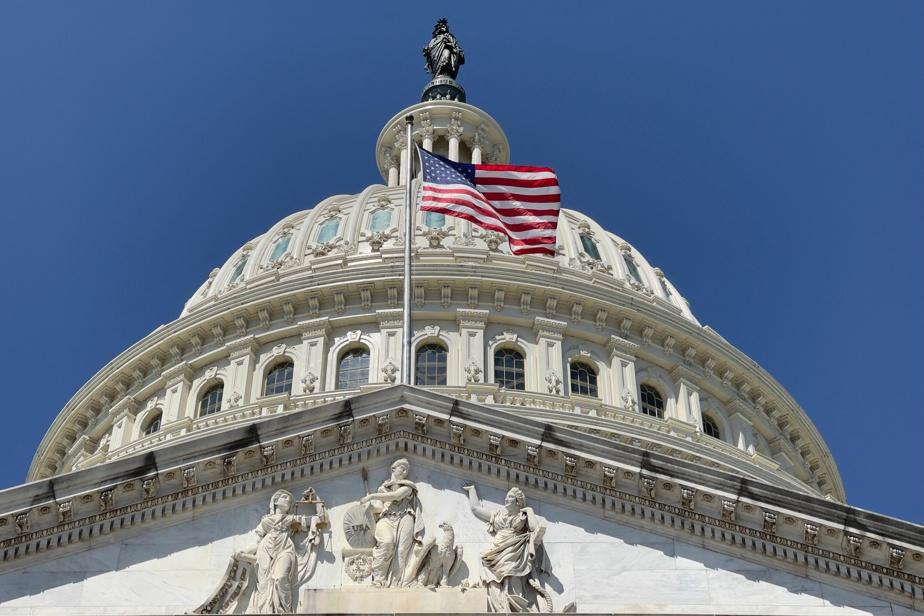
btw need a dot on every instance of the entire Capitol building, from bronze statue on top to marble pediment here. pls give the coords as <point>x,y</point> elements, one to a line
<point>626,458</point>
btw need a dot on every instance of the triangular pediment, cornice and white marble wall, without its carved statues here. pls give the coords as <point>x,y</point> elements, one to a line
<point>624,531</point>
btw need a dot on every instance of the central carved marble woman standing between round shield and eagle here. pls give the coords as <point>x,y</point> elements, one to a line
<point>398,527</point>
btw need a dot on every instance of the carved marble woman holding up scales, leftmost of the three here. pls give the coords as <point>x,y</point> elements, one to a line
<point>281,564</point>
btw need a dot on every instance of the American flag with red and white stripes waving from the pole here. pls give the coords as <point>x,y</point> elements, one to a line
<point>520,202</point>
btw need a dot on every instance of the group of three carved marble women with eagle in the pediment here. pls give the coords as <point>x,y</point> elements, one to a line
<point>387,547</point>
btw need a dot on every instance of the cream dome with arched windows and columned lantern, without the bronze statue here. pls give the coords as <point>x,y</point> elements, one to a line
<point>596,338</point>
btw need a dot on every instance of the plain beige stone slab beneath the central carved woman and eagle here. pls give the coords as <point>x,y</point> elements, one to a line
<point>368,600</point>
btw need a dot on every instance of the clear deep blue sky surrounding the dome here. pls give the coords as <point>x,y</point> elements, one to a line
<point>768,156</point>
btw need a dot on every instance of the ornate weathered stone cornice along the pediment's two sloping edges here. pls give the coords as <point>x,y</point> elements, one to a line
<point>723,513</point>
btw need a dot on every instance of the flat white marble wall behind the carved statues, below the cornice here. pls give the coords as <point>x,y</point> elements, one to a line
<point>599,565</point>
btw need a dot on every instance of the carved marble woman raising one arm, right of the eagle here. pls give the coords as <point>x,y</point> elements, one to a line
<point>513,562</point>
